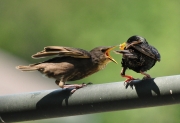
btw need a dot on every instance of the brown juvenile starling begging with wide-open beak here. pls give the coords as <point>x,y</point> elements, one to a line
<point>70,64</point>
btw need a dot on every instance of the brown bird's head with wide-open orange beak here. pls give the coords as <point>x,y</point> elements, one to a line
<point>102,54</point>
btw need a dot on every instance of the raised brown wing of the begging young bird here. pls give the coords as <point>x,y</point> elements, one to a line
<point>62,51</point>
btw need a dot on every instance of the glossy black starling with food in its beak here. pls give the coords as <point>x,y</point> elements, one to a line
<point>138,56</point>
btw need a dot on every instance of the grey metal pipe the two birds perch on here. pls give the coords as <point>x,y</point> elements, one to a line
<point>93,98</point>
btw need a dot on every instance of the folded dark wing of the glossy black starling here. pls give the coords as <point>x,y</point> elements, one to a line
<point>148,50</point>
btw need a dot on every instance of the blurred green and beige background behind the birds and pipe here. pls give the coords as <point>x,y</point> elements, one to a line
<point>27,26</point>
